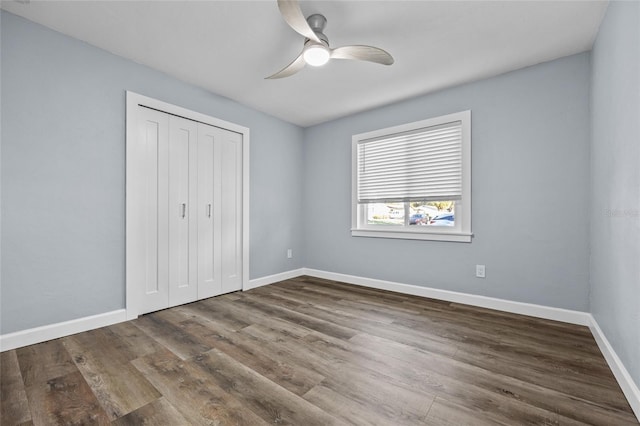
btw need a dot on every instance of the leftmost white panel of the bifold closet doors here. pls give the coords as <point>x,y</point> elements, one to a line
<point>153,149</point>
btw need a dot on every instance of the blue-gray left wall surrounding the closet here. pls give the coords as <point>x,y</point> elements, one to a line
<point>63,146</point>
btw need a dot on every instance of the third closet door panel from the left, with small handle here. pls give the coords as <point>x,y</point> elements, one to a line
<point>209,271</point>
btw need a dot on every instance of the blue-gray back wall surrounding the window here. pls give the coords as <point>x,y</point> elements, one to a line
<point>530,143</point>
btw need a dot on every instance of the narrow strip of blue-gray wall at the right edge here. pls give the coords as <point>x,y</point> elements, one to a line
<point>615,182</point>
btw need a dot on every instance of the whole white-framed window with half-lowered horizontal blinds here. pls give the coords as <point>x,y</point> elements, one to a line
<point>414,181</point>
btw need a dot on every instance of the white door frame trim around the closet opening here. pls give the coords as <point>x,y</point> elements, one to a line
<point>134,173</point>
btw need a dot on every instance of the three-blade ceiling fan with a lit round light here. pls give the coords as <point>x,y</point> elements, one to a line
<point>316,50</point>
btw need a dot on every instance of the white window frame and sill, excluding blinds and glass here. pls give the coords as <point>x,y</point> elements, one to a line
<point>460,232</point>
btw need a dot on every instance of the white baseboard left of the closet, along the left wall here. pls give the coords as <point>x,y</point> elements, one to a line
<point>54,331</point>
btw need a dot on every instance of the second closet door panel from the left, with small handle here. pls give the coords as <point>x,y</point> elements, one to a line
<point>183,284</point>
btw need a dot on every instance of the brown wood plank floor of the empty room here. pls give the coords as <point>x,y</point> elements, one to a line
<point>315,352</point>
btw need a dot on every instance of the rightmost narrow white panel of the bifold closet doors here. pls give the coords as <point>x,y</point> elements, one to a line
<point>231,210</point>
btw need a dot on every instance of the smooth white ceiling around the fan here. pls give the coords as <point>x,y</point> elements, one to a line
<point>228,47</point>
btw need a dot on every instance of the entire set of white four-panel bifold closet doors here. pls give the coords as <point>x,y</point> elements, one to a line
<point>191,211</point>
